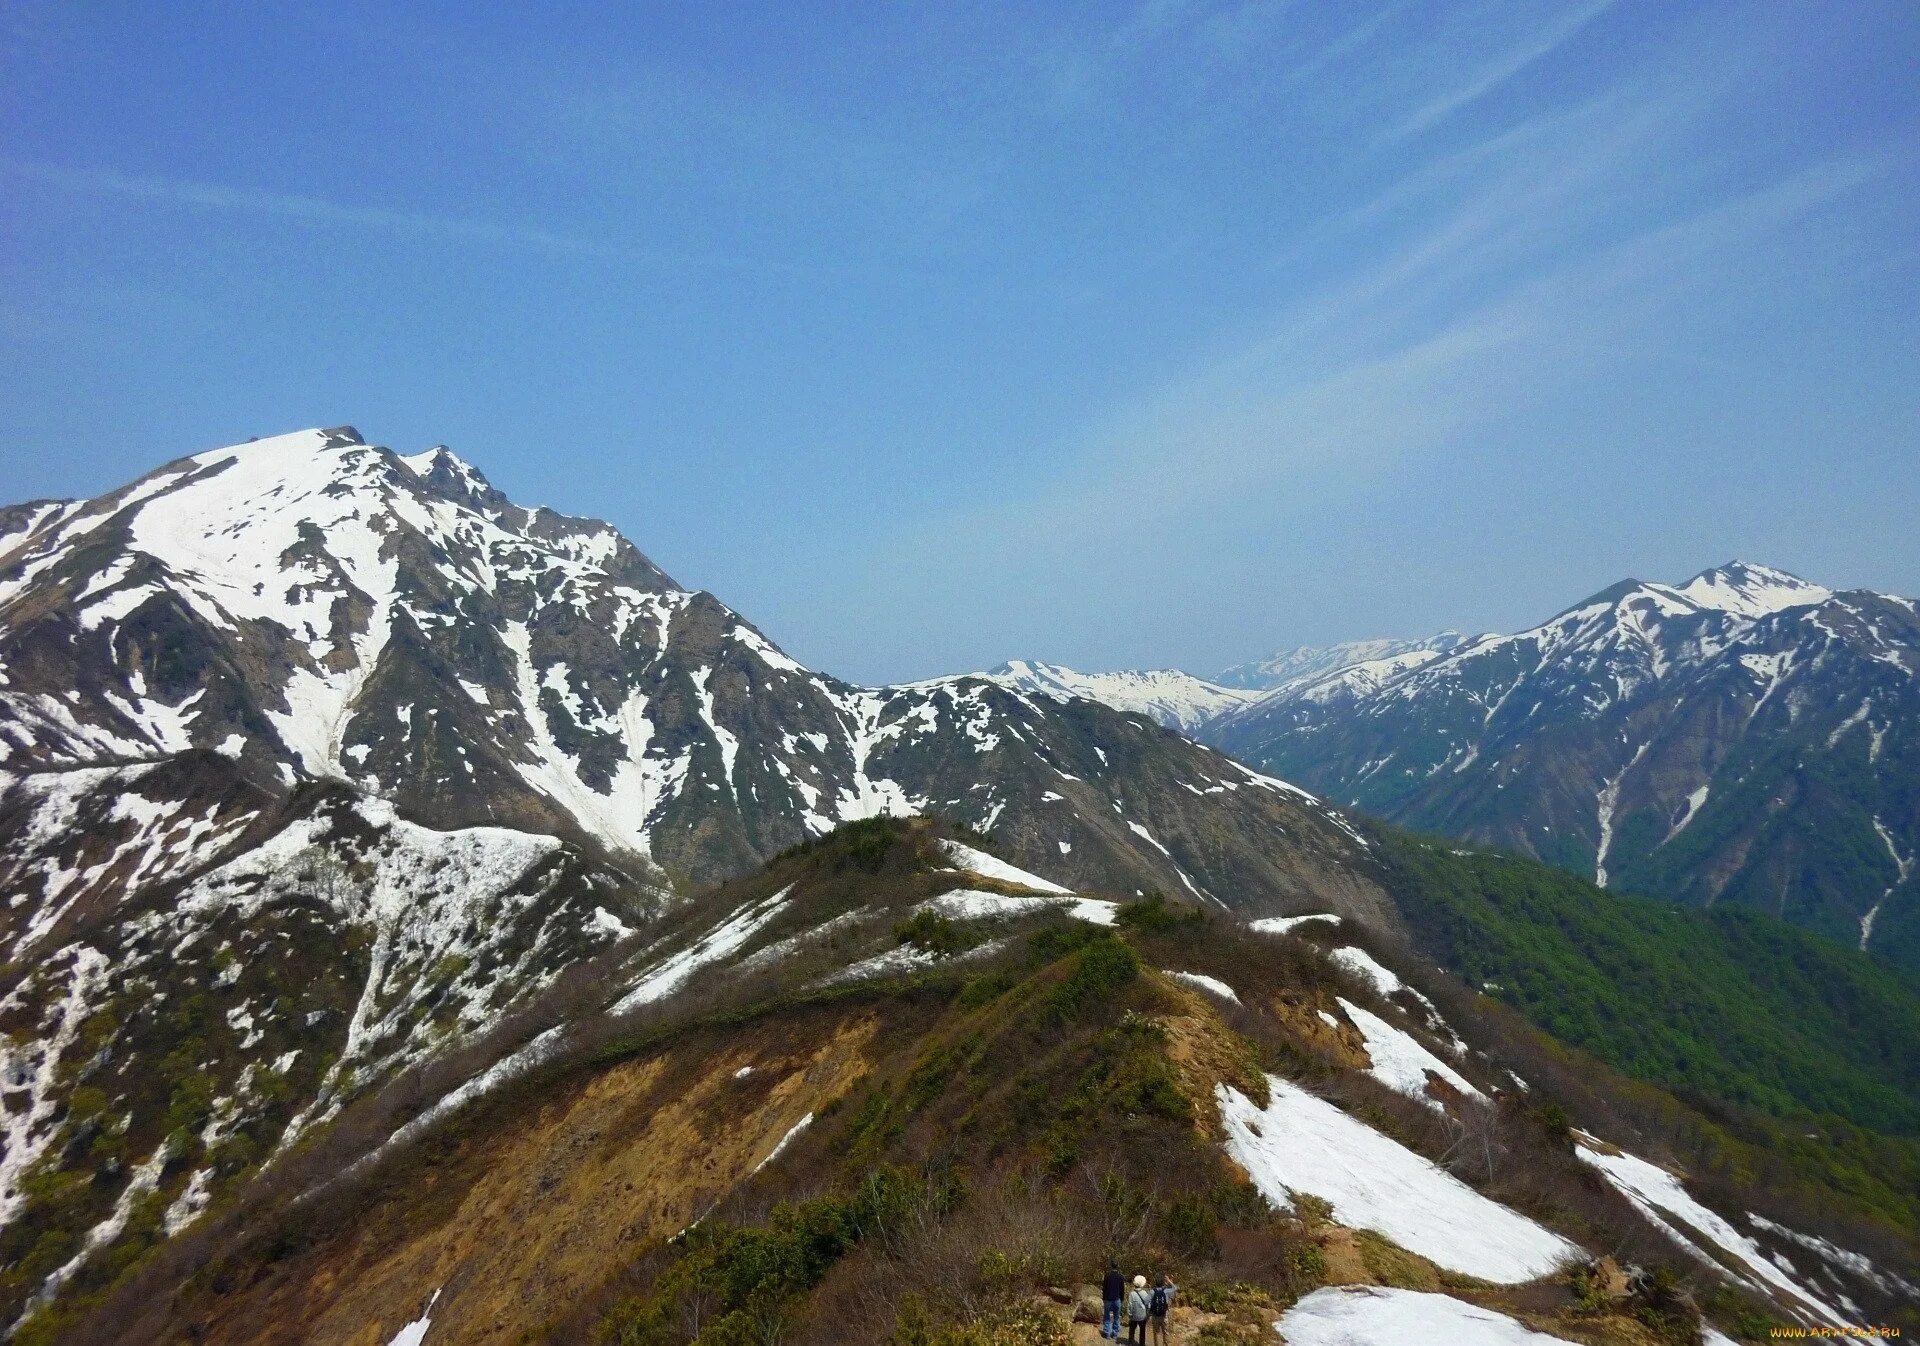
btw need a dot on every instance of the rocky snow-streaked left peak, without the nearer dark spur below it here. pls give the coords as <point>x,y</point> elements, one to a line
<point>314,608</point>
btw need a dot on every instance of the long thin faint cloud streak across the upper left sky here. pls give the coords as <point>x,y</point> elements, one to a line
<point>318,210</point>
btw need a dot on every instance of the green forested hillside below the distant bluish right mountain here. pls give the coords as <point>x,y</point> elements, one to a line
<point>1725,1003</point>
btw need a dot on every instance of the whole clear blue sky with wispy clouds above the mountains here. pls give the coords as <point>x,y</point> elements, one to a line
<point>938,335</point>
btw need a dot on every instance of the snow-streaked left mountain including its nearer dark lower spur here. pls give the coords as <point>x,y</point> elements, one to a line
<point>318,761</point>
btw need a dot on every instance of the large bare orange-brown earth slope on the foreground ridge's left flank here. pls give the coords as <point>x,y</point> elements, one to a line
<point>546,1209</point>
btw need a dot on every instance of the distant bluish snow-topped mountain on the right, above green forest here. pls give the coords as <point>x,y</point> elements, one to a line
<point>1744,736</point>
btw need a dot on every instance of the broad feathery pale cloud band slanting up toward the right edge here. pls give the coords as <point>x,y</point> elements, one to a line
<point>1303,416</point>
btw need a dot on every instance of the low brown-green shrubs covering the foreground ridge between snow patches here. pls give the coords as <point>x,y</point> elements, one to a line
<point>1017,1115</point>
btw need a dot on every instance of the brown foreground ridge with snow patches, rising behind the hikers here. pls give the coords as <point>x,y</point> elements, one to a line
<point>896,1090</point>
